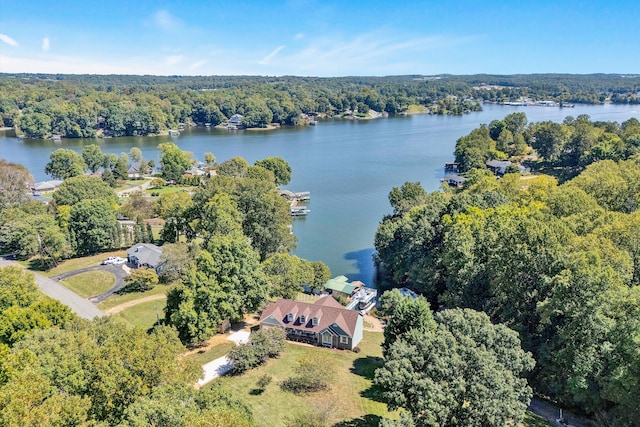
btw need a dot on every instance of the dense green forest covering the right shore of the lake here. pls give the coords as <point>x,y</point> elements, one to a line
<point>560,264</point>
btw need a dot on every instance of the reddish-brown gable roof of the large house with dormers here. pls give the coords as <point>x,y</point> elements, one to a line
<point>330,313</point>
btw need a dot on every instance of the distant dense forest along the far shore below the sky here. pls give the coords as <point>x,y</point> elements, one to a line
<point>88,105</point>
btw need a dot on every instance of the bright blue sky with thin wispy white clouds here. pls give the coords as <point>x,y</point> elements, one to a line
<point>319,38</point>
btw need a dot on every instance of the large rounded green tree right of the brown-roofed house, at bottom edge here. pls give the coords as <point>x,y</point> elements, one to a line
<point>466,372</point>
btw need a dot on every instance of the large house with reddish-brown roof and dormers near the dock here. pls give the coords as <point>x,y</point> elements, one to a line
<point>324,323</point>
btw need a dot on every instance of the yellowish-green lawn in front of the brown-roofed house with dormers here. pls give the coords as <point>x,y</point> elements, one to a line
<point>350,398</point>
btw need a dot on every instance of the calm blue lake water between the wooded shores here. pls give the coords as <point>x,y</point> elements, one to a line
<point>348,166</point>
